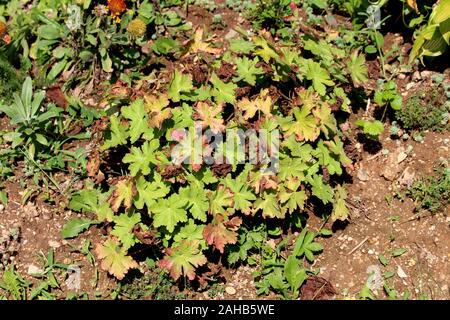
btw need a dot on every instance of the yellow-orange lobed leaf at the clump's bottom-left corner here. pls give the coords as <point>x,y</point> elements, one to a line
<point>114,258</point>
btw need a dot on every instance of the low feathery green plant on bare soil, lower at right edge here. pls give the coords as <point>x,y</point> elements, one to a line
<point>432,193</point>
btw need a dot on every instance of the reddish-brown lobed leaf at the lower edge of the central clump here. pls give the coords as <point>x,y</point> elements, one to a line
<point>221,231</point>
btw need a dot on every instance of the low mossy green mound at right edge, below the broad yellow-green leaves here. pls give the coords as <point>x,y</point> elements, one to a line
<point>425,110</point>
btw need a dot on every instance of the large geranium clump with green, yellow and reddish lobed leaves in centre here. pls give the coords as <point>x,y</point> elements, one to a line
<point>187,201</point>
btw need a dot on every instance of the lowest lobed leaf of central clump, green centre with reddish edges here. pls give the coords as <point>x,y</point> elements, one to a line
<point>183,259</point>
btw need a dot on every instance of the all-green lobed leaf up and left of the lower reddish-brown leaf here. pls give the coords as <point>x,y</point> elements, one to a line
<point>169,212</point>
